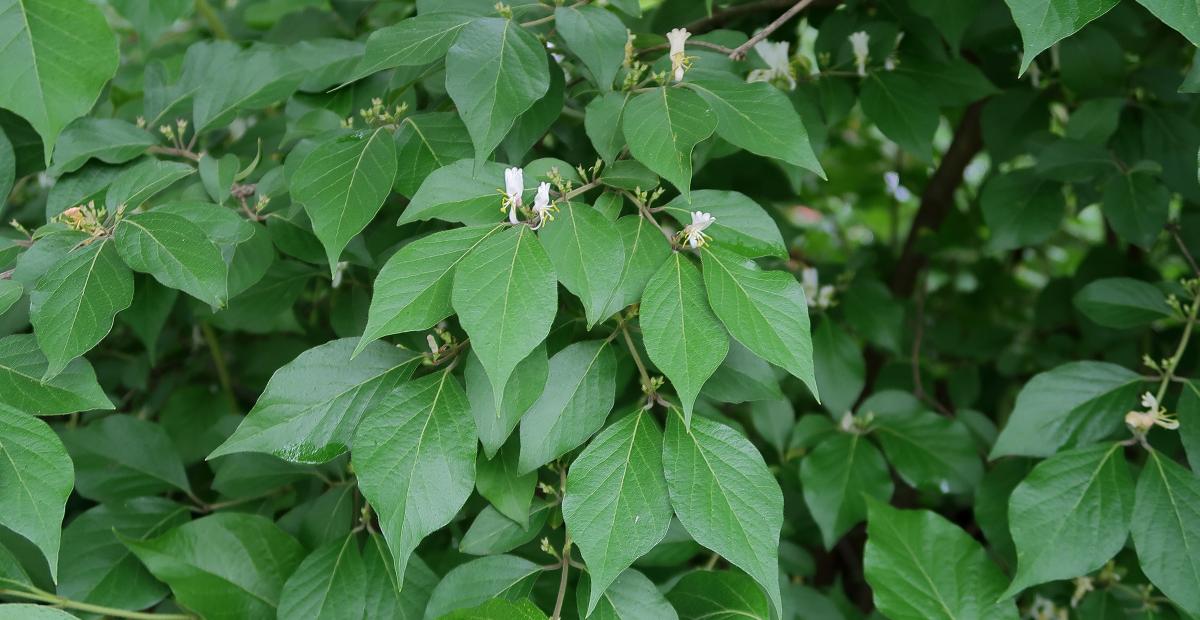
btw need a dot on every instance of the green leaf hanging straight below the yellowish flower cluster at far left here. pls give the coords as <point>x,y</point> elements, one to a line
<point>74,305</point>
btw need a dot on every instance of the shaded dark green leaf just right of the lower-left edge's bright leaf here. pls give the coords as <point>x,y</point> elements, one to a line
<point>106,468</point>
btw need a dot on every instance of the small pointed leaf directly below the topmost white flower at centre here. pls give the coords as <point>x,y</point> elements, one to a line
<point>663,128</point>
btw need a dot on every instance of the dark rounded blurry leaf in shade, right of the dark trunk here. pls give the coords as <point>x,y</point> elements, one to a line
<point>1022,209</point>
